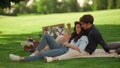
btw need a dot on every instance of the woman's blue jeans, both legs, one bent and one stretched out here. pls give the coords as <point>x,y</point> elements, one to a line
<point>55,49</point>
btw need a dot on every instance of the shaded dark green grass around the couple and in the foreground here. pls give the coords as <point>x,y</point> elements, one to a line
<point>11,44</point>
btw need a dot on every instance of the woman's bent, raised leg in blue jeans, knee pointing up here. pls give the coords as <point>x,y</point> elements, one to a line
<point>47,39</point>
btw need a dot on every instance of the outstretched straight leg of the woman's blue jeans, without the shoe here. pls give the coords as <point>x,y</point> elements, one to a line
<point>51,53</point>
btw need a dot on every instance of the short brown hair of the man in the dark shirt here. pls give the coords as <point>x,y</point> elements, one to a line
<point>87,18</point>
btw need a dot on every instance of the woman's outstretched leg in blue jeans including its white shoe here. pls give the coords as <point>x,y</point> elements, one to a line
<point>52,53</point>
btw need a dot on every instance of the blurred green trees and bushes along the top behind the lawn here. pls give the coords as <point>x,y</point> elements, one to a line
<point>53,6</point>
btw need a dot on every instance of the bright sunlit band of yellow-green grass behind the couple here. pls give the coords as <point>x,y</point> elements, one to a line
<point>30,24</point>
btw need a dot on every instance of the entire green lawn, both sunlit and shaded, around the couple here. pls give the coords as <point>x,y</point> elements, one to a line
<point>13,30</point>
